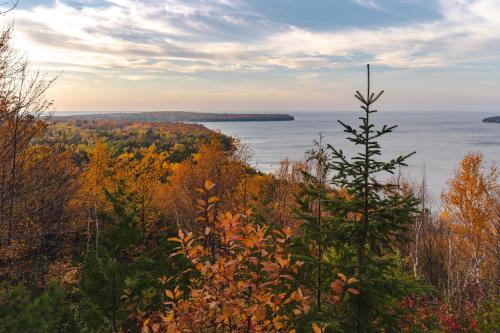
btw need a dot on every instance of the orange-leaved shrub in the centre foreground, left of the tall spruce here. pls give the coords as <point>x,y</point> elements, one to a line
<point>242,277</point>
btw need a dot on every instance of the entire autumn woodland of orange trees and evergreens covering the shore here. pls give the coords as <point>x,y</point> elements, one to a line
<point>115,226</point>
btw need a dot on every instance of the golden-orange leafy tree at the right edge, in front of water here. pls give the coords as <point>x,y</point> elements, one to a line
<point>472,211</point>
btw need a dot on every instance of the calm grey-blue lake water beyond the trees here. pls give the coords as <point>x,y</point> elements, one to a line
<point>440,139</point>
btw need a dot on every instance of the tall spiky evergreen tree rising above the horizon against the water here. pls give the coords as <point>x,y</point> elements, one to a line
<point>370,218</point>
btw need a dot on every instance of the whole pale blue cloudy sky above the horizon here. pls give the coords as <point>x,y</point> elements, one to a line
<point>262,55</point>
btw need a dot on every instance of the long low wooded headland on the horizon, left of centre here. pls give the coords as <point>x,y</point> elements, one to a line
<point>178,116</point>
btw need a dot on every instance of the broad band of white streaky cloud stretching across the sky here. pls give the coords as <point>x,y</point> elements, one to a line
<point>140,39</point>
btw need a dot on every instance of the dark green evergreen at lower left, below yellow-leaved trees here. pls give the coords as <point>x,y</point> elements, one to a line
<point>115,259</point>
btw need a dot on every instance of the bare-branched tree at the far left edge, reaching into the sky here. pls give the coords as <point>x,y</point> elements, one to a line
<point>23,108</point>
